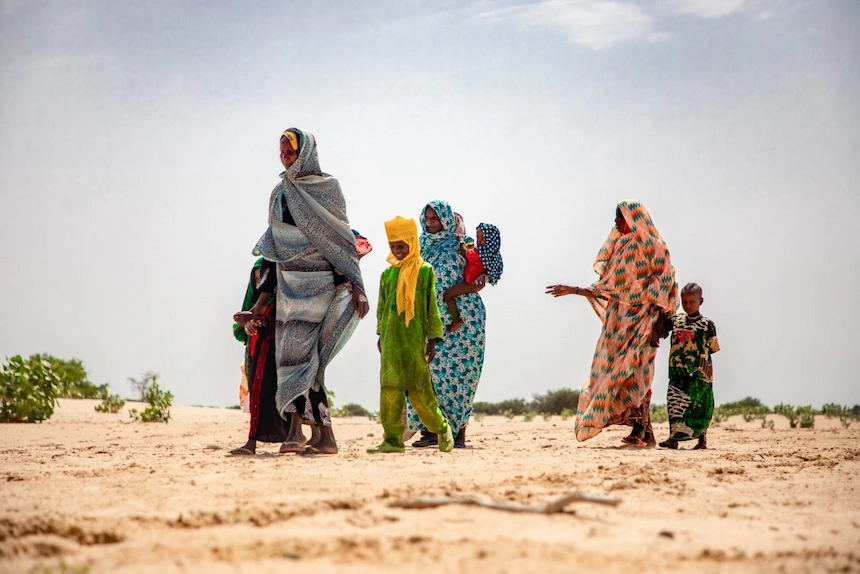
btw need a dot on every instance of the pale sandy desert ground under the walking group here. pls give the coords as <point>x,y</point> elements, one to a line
<point>92,492</point>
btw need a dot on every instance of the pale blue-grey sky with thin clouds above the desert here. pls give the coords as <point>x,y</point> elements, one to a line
<point>139,146</point>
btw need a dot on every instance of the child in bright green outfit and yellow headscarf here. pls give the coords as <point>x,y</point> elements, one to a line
<point>409,326</point>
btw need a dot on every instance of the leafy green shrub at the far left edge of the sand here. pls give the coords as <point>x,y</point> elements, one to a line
<point>28,390</point>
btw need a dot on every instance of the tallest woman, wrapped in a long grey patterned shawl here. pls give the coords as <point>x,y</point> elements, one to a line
<point>320,293</point>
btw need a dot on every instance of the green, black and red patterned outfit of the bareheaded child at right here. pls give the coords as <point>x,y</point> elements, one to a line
<point>690,396</point>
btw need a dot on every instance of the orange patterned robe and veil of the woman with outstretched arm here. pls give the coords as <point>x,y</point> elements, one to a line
<point>637,282</point>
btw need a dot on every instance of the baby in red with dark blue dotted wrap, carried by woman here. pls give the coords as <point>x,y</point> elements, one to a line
<point>483,263</point>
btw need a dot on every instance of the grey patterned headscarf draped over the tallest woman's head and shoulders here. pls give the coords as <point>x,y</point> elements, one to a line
<point>317,205</point>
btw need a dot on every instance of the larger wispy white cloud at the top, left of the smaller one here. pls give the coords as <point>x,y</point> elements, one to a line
<point>594,24</point>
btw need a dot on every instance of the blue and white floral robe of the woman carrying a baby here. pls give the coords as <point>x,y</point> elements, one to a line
<point>456,370</point>
